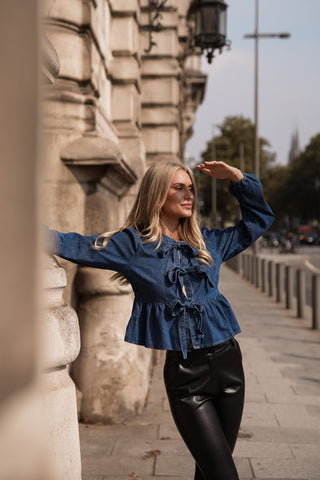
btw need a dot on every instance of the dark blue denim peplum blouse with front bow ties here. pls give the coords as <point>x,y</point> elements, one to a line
<point>177,302</point>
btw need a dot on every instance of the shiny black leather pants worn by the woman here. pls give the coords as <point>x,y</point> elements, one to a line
<point>206,395</point>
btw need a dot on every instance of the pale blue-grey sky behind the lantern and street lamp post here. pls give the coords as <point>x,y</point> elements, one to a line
<point>289,75</point>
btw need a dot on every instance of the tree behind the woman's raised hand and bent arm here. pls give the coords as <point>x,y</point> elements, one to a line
<point>234,131</point>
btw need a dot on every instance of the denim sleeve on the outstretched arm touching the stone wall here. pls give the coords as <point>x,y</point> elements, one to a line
<point>117,254</point>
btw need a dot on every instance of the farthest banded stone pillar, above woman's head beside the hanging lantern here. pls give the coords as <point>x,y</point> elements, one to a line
<point>172,83</point>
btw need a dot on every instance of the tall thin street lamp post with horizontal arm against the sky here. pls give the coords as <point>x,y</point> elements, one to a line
<point>256,35</point>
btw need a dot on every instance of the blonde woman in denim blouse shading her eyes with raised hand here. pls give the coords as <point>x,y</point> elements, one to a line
<point>173,267</point>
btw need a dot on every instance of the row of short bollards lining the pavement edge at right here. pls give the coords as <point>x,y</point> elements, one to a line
<point>281,281</point>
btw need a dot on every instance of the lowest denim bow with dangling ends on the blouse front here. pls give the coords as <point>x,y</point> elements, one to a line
<point>186,312</point>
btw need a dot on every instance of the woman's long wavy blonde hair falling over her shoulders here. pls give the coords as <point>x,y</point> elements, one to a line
<point>145,215</point>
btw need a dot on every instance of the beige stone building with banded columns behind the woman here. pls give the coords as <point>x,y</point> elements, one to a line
<point>113,110</point>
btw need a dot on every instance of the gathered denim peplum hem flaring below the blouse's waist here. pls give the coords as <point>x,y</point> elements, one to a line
<point>165,326</point>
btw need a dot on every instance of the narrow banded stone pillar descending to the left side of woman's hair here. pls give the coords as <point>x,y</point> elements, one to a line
<point>125,72</point>
